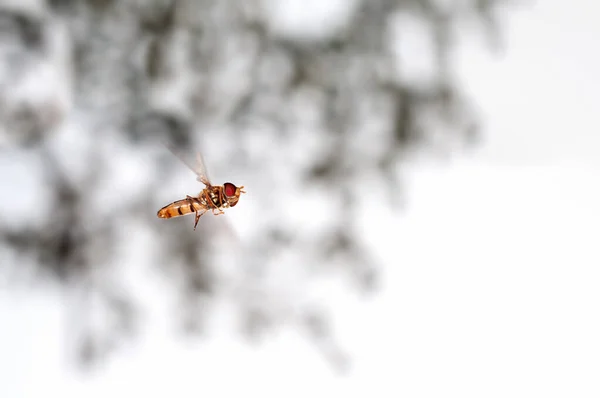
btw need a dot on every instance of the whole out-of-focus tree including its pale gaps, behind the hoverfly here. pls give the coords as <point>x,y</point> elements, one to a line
<point>313,110</point>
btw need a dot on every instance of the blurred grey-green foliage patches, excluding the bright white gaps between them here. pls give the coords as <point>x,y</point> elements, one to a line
<point>199,71</point>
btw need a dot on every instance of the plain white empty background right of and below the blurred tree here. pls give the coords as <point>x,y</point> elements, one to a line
<point>490,284</point>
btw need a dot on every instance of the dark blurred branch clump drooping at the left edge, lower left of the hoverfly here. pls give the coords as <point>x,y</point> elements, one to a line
<point>74,251</point>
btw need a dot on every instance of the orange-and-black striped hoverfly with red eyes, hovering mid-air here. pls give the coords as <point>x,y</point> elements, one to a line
<point>212,197</point>
